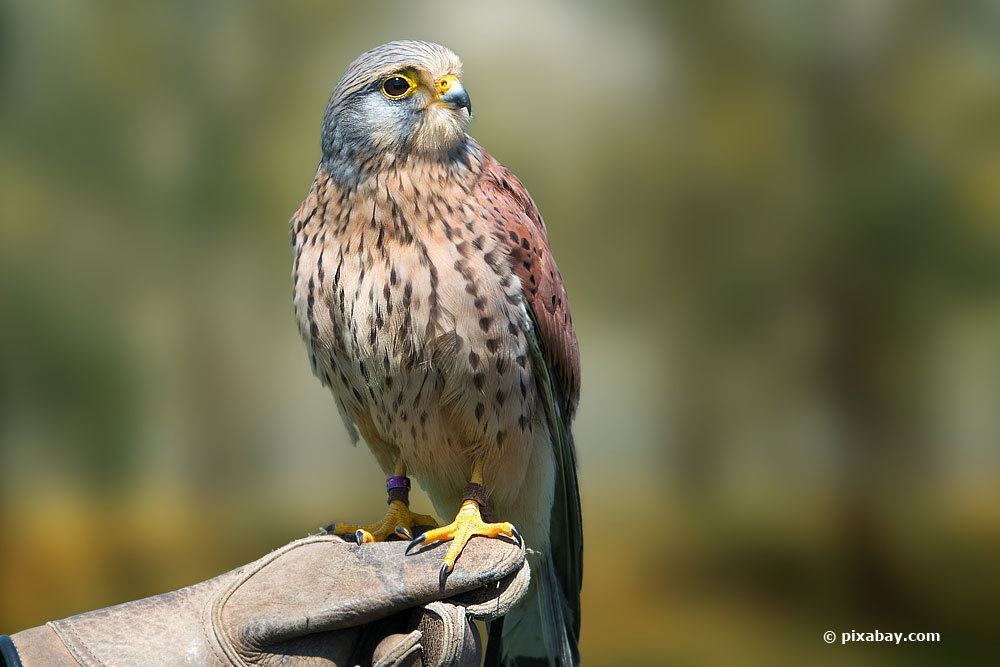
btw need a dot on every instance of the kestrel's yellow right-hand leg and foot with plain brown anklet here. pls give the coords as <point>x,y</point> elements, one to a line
<point>468,523</point>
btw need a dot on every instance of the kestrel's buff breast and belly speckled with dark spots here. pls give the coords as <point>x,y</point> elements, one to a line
<point>413,318</point>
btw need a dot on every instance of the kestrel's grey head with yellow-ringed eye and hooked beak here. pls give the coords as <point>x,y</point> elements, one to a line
<point>398,99</point>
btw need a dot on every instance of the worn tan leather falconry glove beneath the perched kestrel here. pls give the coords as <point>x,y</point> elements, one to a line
<point>319,600</point>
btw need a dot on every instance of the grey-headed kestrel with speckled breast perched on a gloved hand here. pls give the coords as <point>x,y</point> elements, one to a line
<point>432,308</point>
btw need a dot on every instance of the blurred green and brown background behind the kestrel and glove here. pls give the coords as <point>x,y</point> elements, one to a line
<point>779,223</point>
